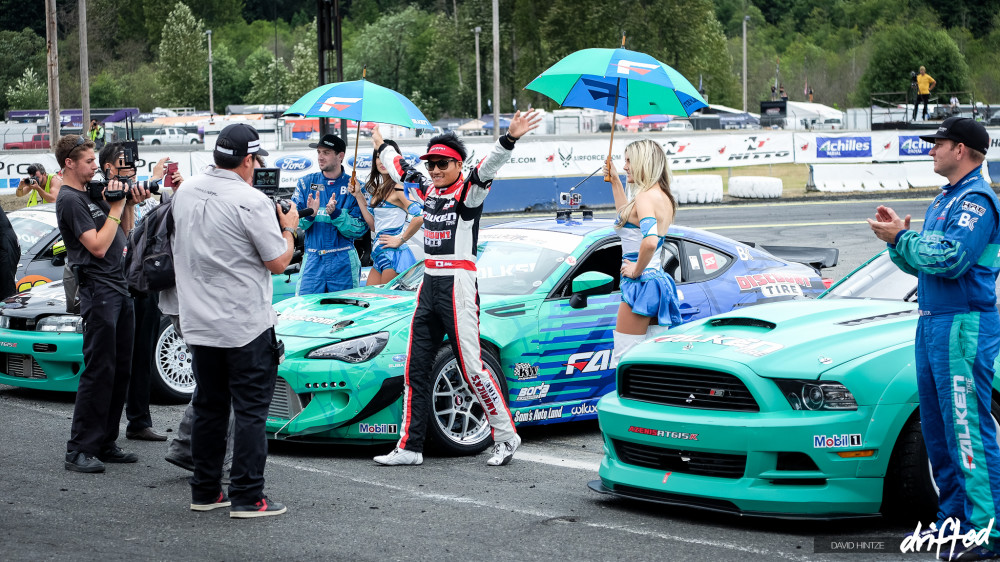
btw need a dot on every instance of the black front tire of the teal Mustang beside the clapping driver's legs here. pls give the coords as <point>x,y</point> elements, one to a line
<point>909,493</point>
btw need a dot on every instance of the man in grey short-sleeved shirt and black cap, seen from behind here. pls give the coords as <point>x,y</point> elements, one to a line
<point>226,245</point>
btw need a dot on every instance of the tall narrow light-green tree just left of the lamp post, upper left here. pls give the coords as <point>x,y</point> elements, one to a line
<point>183,59</point>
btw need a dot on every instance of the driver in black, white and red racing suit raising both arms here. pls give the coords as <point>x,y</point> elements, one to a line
<point>448,298</point>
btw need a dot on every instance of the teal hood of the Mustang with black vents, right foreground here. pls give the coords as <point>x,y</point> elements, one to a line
<point>795,340</point>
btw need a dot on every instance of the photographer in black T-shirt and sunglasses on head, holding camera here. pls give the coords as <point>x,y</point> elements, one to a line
<point>94,234</point>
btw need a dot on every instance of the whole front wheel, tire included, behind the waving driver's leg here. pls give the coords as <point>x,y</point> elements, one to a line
<point>458,424</point>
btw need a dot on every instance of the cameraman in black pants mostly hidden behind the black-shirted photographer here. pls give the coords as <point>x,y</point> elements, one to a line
<point>114,165</point>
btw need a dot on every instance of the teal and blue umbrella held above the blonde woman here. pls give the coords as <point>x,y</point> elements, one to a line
<point>620,81</point>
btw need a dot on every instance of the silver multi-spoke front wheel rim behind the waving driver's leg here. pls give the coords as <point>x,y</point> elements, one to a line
<point>457,412</point>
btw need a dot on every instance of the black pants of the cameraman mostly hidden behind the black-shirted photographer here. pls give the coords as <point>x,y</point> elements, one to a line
<point>147,327</point>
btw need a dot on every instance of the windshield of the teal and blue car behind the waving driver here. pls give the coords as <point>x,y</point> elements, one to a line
<point>504,267</point>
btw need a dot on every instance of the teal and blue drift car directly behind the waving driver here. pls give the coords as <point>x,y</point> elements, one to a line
<point>548,300</point>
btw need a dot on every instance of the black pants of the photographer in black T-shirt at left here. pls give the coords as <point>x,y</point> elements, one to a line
<point>107,354</point>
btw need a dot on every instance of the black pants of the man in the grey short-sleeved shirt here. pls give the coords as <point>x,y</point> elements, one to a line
<point>244,377</point>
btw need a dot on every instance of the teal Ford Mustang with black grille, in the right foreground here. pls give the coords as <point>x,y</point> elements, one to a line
<point>804,409</point>
